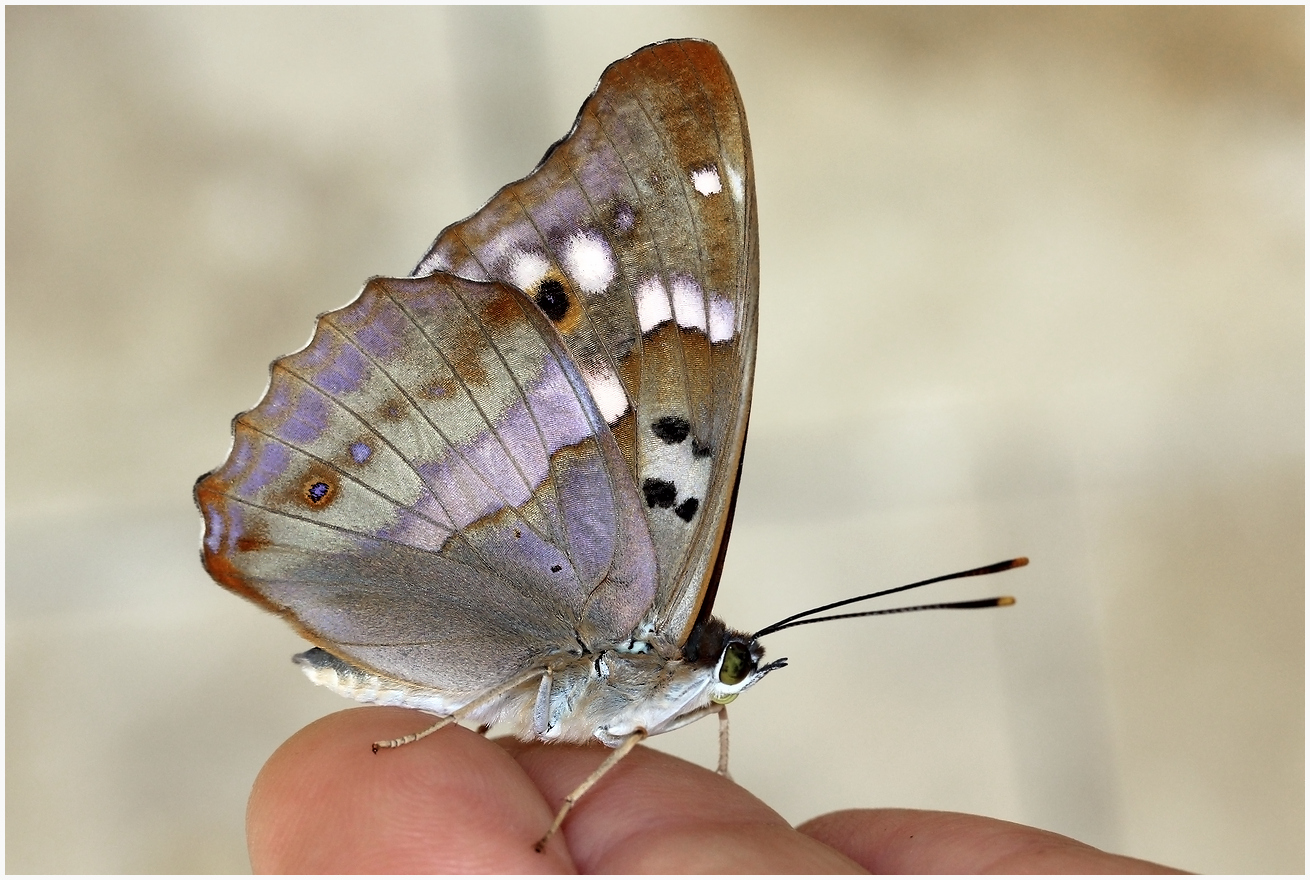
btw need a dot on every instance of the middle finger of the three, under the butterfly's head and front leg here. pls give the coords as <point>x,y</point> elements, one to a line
<point>656,814</point>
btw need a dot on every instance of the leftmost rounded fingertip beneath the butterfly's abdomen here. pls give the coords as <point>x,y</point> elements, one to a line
<point>453,803</point>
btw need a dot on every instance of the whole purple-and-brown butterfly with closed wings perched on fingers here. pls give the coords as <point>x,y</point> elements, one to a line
<point>501,490</point>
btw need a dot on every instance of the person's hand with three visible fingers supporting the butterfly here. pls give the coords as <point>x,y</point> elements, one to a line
<point>460,803</point>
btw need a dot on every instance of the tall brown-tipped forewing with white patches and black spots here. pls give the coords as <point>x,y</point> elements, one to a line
<point>637,239</point>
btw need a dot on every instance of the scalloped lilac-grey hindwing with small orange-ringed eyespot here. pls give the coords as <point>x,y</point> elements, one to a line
<point>428,490</point>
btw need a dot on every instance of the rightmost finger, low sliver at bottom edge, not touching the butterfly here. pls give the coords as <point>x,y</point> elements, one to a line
<point>916,841</point>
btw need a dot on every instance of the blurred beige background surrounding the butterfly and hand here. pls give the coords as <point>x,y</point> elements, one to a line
<point>1033,282</point>
